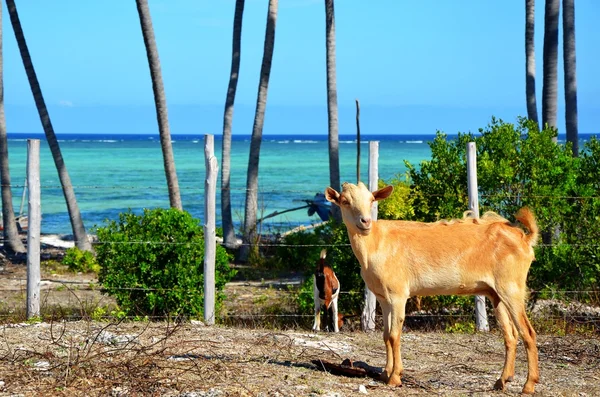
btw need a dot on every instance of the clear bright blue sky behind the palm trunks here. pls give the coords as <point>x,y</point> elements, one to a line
<point>416,66</point>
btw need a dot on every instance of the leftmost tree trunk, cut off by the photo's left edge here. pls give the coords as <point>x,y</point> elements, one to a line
<point>12,240</point>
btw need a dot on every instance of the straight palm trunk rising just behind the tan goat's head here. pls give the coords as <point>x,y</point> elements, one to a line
<point>332,109</point>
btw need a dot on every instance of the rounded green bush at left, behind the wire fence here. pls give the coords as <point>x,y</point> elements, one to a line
<point>153,264</point>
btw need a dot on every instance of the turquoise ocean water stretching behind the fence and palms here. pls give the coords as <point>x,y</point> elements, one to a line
<point>114,173</point>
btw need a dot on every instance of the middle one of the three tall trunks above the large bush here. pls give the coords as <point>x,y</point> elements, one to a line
<point>550,88</point>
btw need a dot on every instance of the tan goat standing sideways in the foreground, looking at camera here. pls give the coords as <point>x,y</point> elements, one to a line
<point>487,256</point>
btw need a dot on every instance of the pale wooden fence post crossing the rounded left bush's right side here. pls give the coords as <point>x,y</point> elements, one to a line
<point>210,240</point>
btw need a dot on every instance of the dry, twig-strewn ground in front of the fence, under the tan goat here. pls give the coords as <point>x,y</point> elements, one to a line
<point>93,358</point>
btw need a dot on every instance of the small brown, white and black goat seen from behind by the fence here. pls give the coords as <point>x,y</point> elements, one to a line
<point>326,289</point>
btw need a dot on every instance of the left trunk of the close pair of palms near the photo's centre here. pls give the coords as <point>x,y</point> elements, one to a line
<point>228,231</point>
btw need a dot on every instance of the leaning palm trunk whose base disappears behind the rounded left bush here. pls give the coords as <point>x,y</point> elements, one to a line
<point>160,102</point>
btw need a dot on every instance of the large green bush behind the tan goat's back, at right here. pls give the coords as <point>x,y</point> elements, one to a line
<point>518,165</point>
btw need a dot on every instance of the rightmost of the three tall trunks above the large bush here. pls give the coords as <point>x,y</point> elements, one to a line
<point>570,67</point>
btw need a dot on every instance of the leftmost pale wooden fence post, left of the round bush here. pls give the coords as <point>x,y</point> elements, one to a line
<point>33,231</point>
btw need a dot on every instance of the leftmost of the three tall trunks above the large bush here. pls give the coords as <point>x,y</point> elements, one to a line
<point>530,61</point>
